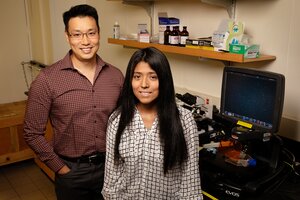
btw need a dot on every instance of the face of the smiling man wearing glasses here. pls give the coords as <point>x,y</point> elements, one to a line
<point>83,37</point>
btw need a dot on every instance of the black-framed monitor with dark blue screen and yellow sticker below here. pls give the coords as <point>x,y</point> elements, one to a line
<point>252,97</point>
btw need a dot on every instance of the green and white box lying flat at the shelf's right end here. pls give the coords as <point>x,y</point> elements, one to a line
<point>249,51</point>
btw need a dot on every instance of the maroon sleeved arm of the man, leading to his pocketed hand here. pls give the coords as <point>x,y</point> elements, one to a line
<point>36,118</point>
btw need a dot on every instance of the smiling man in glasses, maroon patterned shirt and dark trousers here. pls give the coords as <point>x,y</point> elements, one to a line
<point>77,94</point>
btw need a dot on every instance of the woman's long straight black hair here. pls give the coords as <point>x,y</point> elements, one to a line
<point>170,127</point>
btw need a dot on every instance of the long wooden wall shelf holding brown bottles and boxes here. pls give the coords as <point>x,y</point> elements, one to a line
<point>222,56</point>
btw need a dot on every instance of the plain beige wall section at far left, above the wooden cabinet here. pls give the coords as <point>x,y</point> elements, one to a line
<point>14,50</point>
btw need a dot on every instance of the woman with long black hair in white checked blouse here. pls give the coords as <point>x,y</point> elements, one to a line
<point>152,145</point>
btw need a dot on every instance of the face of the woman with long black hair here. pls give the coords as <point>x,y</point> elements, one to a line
<point>145,84</point>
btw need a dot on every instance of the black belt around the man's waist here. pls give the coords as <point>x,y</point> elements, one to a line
<point>95,158</point>
